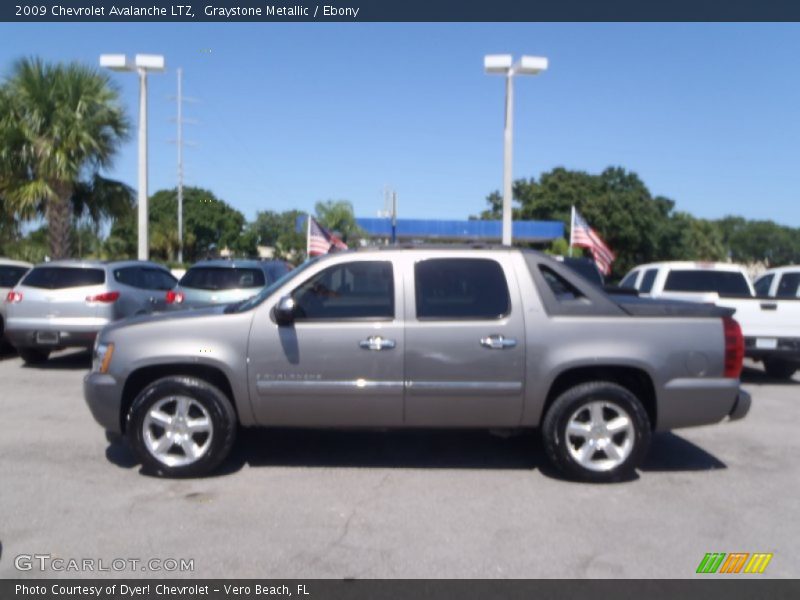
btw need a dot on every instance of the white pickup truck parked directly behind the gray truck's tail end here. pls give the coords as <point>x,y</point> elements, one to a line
<point>771,327</point>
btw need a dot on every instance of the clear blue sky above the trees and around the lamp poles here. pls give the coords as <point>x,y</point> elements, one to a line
<point>706,114</point>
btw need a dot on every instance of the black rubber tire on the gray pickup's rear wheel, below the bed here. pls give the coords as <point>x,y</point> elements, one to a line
<point>560,446</point>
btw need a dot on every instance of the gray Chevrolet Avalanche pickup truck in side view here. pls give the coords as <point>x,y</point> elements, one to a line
<point>421,338</point>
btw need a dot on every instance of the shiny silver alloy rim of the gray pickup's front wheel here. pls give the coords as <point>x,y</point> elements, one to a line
<point>177,431</point>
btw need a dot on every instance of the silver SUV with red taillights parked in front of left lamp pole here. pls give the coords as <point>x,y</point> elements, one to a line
<point>65,303</point>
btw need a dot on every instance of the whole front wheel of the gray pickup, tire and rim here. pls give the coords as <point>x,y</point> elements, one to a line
<point>181,426</point>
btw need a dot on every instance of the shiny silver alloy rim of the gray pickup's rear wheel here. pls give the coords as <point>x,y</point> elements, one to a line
<point>600,435</point>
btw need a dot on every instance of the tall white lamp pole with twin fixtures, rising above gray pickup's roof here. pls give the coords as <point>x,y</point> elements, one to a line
<point>503,64</point>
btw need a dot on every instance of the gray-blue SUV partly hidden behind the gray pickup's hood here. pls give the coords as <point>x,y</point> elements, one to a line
<point>222,281</point>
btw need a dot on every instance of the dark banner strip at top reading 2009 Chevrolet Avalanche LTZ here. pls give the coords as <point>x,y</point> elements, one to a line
<point>399,10</point>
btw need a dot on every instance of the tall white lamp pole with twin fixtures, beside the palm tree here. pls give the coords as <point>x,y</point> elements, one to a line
<point>142,63</point>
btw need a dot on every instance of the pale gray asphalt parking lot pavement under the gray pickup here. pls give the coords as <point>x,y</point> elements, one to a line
<point>305,504</point>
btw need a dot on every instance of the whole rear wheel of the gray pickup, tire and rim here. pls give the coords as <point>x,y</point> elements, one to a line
<point>597,431</point>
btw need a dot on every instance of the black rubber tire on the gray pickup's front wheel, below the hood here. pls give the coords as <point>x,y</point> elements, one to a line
<point>219,410</point>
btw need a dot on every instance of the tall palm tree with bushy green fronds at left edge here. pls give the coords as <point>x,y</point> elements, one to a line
<point>59,125</point>
